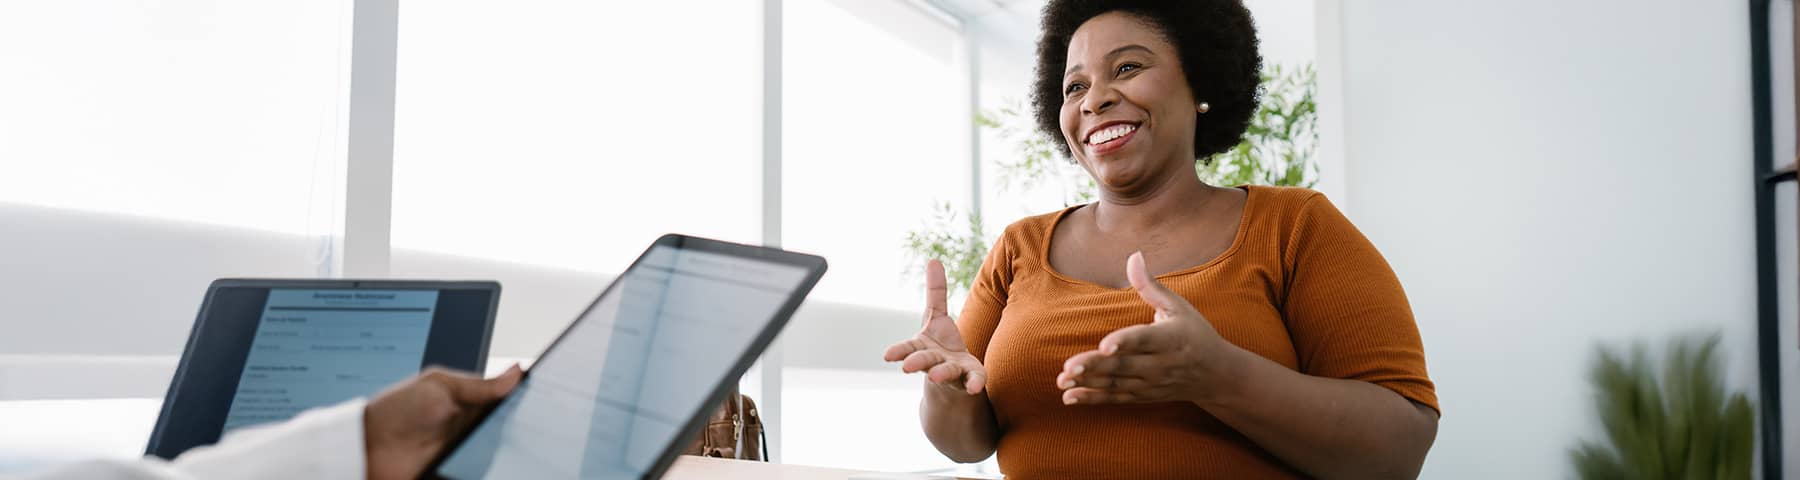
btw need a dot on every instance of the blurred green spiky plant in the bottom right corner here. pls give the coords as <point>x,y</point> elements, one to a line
<point>1678,423</point>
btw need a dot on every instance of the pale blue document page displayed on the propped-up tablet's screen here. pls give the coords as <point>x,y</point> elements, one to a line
<point>318,348</point>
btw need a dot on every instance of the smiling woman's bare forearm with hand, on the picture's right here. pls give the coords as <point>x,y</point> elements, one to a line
<point>1324,427</point>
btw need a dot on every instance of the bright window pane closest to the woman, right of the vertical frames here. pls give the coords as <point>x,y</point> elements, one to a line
<point>876,136</point>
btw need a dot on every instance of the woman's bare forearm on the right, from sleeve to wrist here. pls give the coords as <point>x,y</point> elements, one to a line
<point>1329,429</point>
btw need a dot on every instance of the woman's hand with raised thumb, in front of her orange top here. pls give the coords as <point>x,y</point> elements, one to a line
<point>1178,357</point>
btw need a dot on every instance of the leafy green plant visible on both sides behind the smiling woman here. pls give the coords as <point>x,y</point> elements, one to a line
<point>1277,150</point>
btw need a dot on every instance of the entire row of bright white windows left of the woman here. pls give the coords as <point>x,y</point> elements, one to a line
<point>541,143</point>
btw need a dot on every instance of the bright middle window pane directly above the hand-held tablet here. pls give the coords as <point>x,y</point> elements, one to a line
<point>571,134</point>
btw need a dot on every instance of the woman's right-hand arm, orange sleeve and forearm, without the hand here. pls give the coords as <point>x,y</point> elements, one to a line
<point>1351,328</point>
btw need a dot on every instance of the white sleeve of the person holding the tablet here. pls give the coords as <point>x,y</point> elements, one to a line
<point>321,443</point>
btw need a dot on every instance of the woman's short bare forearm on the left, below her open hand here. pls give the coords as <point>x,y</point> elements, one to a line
<point>960,425</point>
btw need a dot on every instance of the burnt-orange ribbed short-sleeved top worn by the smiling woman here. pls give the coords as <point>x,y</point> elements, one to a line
<point>1299,287</point>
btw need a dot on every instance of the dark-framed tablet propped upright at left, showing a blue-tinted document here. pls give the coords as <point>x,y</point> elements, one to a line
<point>267,350</point>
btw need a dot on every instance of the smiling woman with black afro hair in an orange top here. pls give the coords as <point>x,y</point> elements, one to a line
<point>1173,328</point>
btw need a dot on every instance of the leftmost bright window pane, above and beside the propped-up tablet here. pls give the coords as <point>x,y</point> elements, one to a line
<point>148,148</point>
